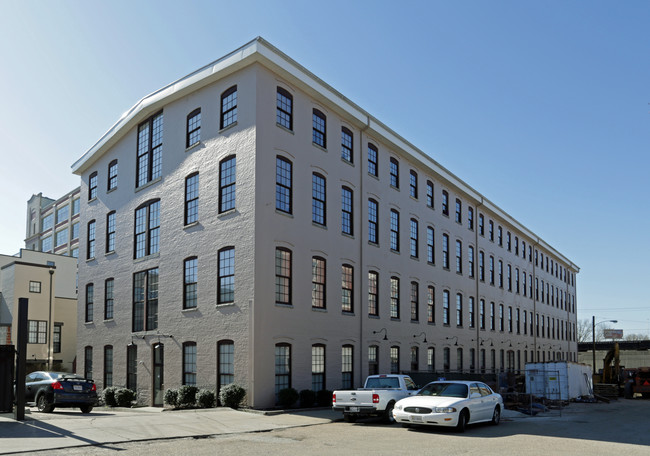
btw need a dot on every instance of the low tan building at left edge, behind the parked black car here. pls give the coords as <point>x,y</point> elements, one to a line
<point>48,282</point>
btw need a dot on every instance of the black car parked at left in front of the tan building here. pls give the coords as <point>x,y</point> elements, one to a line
<point>60,389</point>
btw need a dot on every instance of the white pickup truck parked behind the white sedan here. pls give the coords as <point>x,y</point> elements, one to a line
<point>376,398</point>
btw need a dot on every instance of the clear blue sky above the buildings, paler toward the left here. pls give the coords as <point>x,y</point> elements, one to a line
<point>540,106</point>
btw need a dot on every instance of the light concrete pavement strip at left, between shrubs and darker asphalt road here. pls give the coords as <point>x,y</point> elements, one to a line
<point>65,429</point>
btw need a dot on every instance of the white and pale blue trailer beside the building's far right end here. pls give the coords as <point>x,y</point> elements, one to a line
<point>559,380</point>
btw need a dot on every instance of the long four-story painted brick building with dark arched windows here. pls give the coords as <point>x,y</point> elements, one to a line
<point>264,229</point>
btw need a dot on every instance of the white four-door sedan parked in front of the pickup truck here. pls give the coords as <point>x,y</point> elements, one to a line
<point>450,403</point>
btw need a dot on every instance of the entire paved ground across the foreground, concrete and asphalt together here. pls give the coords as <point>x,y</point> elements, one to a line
<point>621,427</point>
